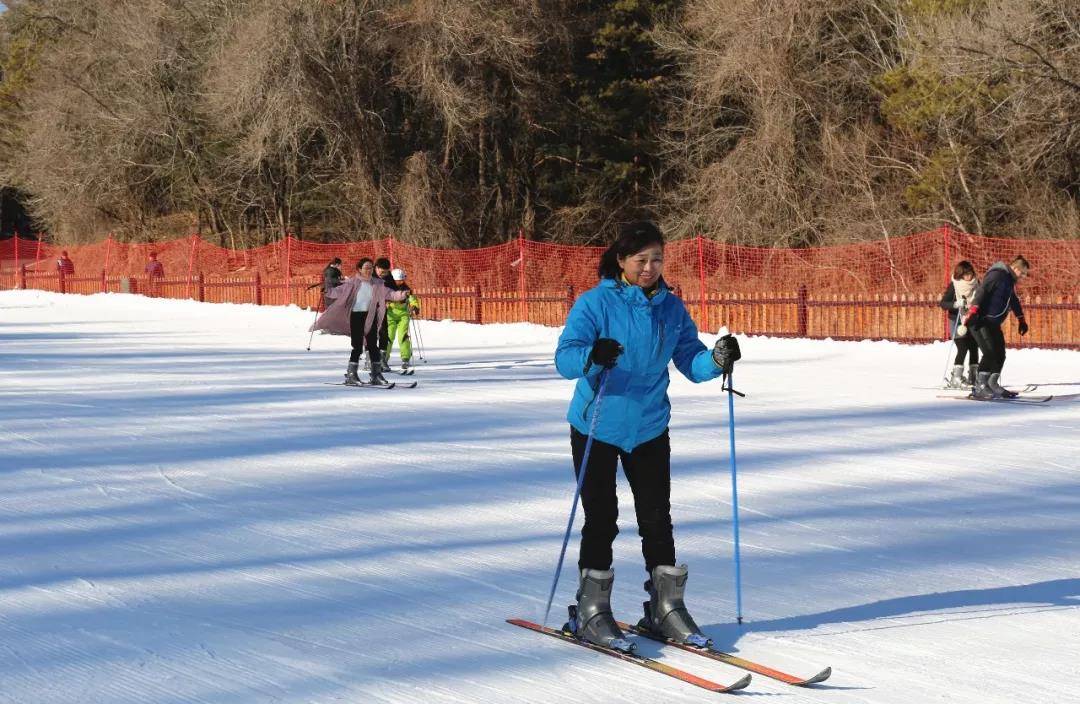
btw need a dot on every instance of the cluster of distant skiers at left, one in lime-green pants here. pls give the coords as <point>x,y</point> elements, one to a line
<point>374,308</point>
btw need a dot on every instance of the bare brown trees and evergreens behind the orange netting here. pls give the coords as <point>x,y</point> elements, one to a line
<point>462,123</point>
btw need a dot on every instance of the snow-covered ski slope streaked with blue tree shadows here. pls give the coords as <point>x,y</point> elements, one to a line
<point>188,515</point>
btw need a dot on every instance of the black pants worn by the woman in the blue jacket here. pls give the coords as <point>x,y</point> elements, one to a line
<point>649,470</point>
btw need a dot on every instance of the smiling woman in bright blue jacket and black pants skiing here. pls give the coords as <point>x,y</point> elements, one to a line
<point>628,329</point>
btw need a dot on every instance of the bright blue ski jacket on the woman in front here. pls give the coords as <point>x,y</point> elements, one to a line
<point>653,333</point>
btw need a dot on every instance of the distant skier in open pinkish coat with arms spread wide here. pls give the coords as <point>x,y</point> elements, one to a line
<point>359,308</point>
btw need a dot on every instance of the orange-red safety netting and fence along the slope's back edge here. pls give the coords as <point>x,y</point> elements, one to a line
<point>883,290</point>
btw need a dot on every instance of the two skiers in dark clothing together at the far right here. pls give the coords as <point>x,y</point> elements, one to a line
<point>978,310</point>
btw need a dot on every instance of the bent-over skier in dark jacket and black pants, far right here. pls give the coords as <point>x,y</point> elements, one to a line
<point>989,309</point>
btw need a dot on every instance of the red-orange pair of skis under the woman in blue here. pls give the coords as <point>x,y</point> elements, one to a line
<point>682,675</point>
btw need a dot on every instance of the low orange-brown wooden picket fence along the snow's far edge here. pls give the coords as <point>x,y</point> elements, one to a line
<point>1055,320</point>
